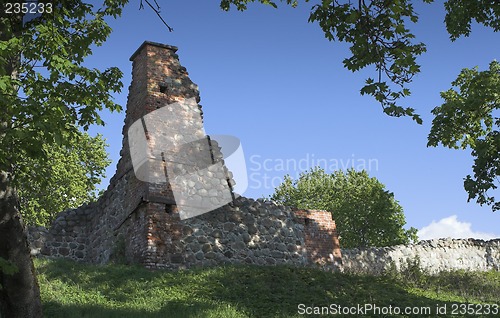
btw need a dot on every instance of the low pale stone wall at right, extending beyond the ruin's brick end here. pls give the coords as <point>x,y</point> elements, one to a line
<point>434,255</point>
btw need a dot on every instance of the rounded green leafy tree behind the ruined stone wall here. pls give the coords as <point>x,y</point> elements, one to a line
<point>365,213</point>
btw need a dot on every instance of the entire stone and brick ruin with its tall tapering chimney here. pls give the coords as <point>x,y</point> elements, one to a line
<point>139,222</point>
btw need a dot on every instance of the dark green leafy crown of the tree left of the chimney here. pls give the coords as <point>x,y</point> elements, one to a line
<point>46,90</point>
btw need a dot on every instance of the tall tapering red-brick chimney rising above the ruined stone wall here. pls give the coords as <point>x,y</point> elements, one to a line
<point>164,137</point>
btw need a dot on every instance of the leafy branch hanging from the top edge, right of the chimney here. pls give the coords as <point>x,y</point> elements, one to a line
<point>378,34</point>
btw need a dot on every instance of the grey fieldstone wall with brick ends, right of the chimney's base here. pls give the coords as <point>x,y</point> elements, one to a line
<point>246,231</point>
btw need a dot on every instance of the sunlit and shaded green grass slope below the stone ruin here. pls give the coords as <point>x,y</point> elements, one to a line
<point>71,289</point>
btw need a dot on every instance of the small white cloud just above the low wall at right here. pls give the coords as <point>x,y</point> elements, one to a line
<point>452,227</point>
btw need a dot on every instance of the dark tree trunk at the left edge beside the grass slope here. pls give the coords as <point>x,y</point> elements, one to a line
<point>19,294</point>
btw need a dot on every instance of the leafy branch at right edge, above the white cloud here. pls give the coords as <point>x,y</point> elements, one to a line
<point>469,118</point>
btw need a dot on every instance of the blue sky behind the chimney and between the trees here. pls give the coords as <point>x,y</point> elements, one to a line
<point>270,78</point>
